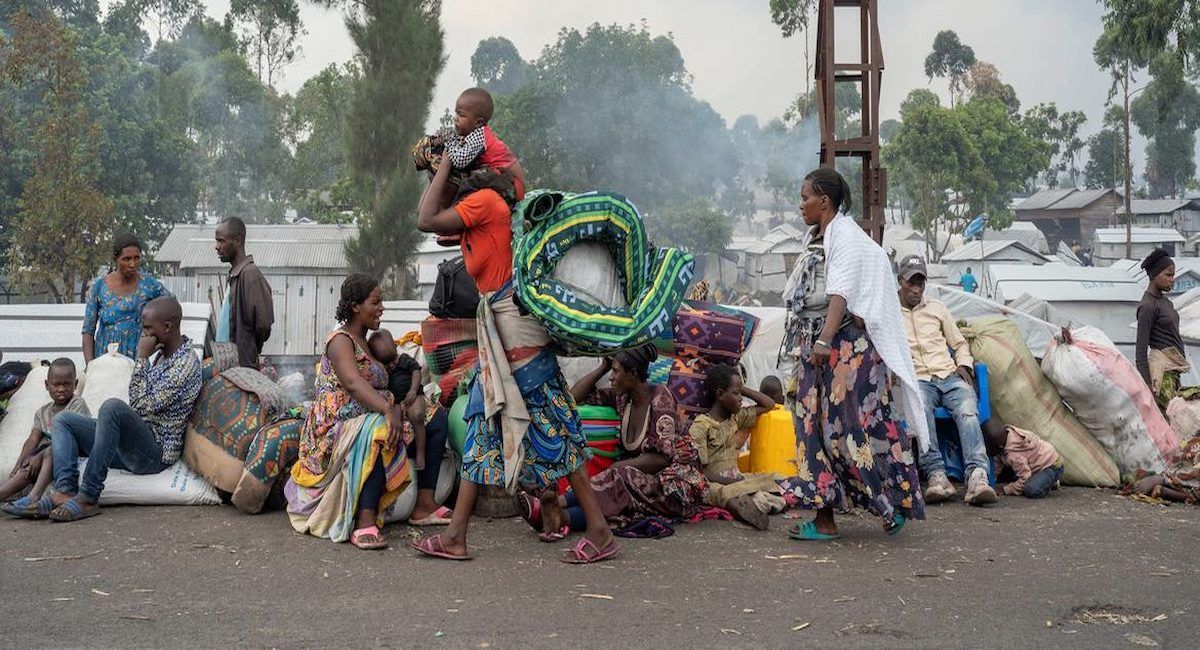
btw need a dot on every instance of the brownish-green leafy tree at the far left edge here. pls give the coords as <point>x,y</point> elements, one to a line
<point>64,216</point>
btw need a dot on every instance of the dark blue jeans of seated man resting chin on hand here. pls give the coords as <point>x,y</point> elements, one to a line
<point>117,438</point>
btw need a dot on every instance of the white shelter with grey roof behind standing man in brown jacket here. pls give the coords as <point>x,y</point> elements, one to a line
<point>305,266</point>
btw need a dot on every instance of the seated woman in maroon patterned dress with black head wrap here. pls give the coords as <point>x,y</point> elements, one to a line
<point>659,473</point>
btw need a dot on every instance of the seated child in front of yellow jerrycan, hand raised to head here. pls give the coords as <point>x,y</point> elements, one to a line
<point>721,435</point>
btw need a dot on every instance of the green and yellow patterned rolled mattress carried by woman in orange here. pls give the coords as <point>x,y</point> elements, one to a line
<point>548,225</point>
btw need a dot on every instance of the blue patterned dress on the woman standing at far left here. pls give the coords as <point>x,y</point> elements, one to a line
<point>117,318</point>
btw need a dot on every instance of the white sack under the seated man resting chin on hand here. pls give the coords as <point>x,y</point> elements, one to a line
<point>175,486</point>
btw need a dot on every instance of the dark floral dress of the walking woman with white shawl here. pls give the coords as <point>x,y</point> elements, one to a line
<point>851,444</point>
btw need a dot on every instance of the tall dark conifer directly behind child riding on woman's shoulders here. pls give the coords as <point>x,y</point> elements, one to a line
<point>399,55</point>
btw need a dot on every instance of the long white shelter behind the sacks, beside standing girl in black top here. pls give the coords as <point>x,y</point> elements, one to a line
<point>1087,296</point>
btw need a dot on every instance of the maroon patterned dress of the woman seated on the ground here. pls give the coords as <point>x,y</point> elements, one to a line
<point>627,493</point>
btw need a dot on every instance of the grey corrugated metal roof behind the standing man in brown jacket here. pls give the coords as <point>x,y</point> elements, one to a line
<point>298,246</point>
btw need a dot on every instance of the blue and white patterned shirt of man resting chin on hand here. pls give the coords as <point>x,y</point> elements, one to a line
<point>164,392</point>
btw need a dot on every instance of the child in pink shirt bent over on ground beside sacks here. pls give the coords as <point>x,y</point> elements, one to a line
<point>1035,461</point>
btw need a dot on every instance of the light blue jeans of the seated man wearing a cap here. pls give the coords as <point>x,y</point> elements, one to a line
<point>961,400</point>
